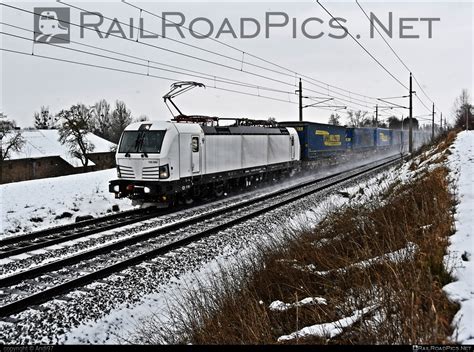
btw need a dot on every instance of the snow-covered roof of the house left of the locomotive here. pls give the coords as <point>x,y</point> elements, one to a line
<point>45,143</point>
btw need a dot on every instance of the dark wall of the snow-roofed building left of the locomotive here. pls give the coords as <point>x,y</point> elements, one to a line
<point>30,169</point>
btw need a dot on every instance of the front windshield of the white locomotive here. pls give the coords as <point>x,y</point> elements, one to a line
<point>141,141</point>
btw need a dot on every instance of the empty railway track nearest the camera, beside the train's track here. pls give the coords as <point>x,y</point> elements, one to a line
<point>42,283</point>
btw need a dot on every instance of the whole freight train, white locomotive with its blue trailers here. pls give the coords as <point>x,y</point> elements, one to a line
<point>193,157</point>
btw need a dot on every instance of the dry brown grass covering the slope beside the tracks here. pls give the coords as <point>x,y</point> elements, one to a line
<point>410,305</point>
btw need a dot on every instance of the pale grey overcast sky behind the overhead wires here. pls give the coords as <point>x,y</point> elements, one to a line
<point>443,64</point>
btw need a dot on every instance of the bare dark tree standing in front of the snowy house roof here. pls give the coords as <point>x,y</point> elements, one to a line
<point>75,124</point>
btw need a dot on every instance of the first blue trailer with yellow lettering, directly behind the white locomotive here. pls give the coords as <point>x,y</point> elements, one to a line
<point>319,140</point>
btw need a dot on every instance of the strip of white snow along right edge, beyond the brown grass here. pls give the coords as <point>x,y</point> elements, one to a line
<point>461,248</point>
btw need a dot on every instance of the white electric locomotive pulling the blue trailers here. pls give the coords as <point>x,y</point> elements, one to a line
<point>186,159</point>
